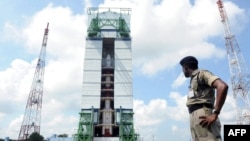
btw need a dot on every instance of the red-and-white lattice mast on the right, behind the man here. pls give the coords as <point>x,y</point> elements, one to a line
<point>240,76</point>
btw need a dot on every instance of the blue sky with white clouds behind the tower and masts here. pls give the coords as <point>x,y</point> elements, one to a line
<point>163,31</point>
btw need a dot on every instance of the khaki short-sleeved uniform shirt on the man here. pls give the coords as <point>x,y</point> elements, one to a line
<point>200,89</point>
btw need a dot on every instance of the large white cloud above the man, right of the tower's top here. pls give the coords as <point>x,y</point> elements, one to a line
<point>172,29</point>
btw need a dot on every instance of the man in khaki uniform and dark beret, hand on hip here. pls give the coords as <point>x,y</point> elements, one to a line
<point>203,107</point>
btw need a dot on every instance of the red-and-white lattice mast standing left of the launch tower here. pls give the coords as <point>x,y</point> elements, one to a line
<point>32,116</point>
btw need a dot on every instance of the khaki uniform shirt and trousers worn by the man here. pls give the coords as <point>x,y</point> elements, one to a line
<point>200,102</point>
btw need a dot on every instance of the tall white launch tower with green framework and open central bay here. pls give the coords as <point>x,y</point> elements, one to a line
<point>107,99</point>
